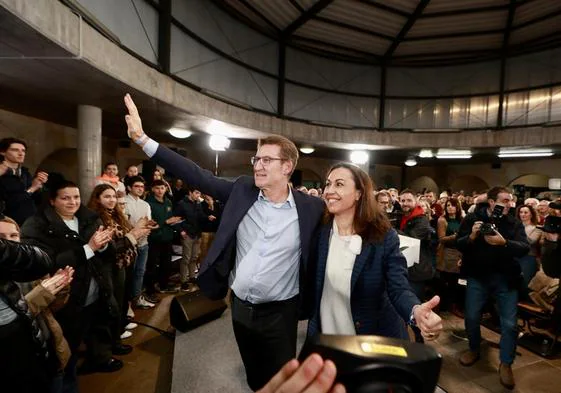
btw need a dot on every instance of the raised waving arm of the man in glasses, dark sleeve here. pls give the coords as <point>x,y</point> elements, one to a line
<point>184,168</point>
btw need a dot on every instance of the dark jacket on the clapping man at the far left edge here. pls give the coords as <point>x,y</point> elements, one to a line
<point>19,204</point>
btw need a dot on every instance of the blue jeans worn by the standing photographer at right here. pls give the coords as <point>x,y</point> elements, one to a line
<point>477,292</point>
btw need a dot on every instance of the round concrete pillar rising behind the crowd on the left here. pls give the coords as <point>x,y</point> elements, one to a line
<point>89,149</point>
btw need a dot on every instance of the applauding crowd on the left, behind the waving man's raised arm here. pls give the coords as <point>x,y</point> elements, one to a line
<point>108,256</point>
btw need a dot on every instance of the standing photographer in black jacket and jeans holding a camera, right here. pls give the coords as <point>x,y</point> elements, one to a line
<point>490,241</point>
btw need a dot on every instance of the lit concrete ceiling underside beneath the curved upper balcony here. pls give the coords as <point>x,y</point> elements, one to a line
<point>40,79</point>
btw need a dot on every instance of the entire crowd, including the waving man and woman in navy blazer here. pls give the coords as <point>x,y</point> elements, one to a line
<point>329,255</point>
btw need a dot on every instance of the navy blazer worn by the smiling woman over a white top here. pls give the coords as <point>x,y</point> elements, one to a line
<point>381,298</point>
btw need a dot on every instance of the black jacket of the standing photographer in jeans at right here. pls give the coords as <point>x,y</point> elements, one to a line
<point>480,258</point>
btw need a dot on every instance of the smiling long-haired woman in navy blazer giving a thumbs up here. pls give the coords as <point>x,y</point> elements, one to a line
<point>361,282</point>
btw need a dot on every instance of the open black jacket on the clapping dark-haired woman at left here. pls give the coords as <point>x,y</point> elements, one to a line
<point>66,247</point>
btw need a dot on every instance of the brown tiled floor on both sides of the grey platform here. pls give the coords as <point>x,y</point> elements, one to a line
<point>148,368</point>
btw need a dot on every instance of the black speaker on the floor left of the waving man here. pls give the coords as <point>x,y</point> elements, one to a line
<point>194,309</point>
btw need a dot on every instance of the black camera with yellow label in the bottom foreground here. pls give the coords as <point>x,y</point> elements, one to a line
<point>372,364</point>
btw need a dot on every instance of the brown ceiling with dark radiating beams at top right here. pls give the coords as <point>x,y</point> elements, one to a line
<point>406,32</point>
